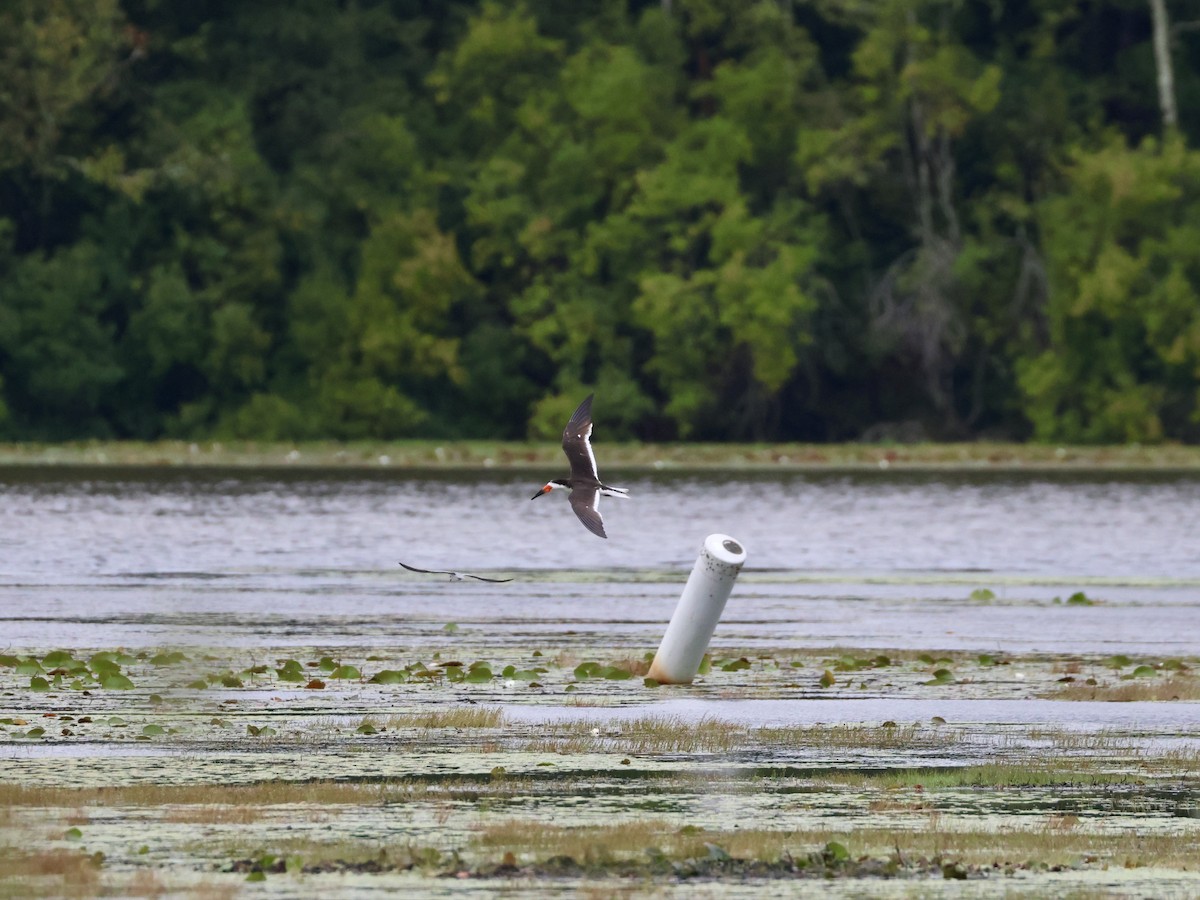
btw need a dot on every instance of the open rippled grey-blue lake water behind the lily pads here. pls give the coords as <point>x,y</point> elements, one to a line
<point>158,557</point>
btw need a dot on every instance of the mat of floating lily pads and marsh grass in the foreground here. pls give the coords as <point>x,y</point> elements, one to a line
<point>585,797</point>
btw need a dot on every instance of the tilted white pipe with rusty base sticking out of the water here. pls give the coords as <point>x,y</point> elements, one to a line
<point>700,609</point>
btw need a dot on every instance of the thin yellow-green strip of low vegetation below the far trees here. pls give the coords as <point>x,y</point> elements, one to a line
<point>515,455</point>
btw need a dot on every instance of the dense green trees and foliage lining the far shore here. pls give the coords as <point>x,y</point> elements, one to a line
<point>784,220</point>
